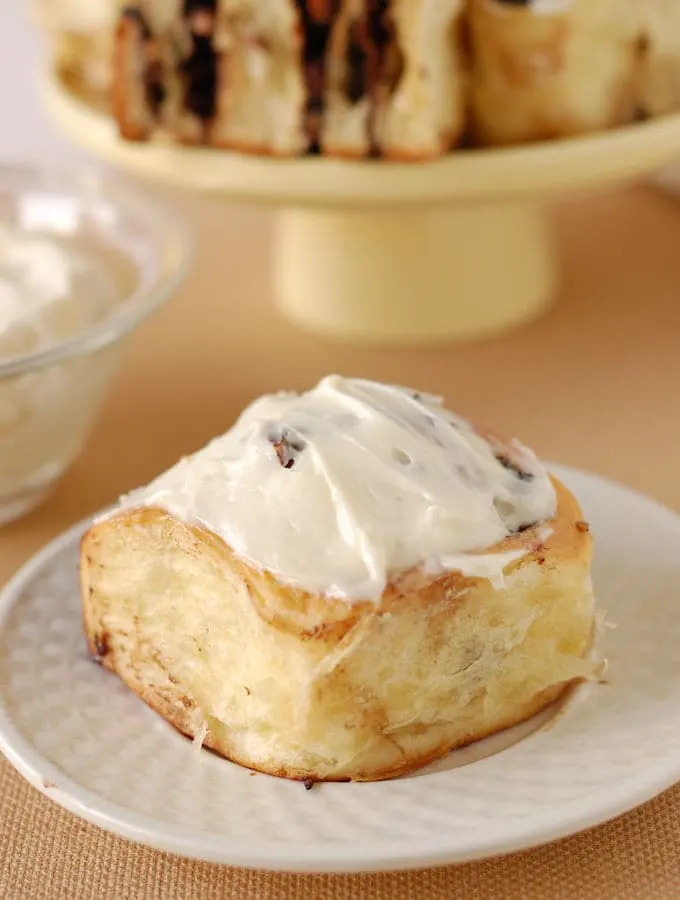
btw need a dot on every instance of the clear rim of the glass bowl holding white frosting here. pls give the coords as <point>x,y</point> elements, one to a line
<point>175,238</point>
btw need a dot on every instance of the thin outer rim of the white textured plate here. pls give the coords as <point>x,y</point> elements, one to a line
<point>383,856</point>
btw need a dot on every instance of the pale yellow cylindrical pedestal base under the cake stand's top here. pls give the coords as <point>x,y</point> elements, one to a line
<point>404,274</point>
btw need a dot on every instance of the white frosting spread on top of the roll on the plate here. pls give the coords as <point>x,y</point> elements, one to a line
<point>339,489</point>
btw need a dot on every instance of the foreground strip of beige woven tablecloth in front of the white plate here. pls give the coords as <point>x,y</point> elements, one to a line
<point>47,854</point>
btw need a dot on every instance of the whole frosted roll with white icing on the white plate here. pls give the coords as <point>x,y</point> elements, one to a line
<point>347,585</point>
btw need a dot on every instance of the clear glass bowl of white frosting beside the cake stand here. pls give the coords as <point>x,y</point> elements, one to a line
<point>126,256</point>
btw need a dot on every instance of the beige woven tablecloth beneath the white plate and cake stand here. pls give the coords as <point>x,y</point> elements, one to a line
<point>595,384</point>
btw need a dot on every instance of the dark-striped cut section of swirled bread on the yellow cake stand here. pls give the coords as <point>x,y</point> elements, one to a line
<point>347,78</point>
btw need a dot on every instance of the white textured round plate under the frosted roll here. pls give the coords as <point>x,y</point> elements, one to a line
<point>84,740</point>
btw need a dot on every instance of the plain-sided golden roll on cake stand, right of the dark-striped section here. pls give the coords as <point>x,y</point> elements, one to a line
<point>545,69</point>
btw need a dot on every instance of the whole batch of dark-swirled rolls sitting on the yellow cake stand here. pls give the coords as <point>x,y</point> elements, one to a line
<point>403,80</point>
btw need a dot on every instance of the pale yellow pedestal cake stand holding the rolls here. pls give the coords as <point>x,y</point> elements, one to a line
<point>397,252</point>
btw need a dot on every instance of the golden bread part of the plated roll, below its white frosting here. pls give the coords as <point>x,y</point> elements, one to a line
<point>310,687</point>
